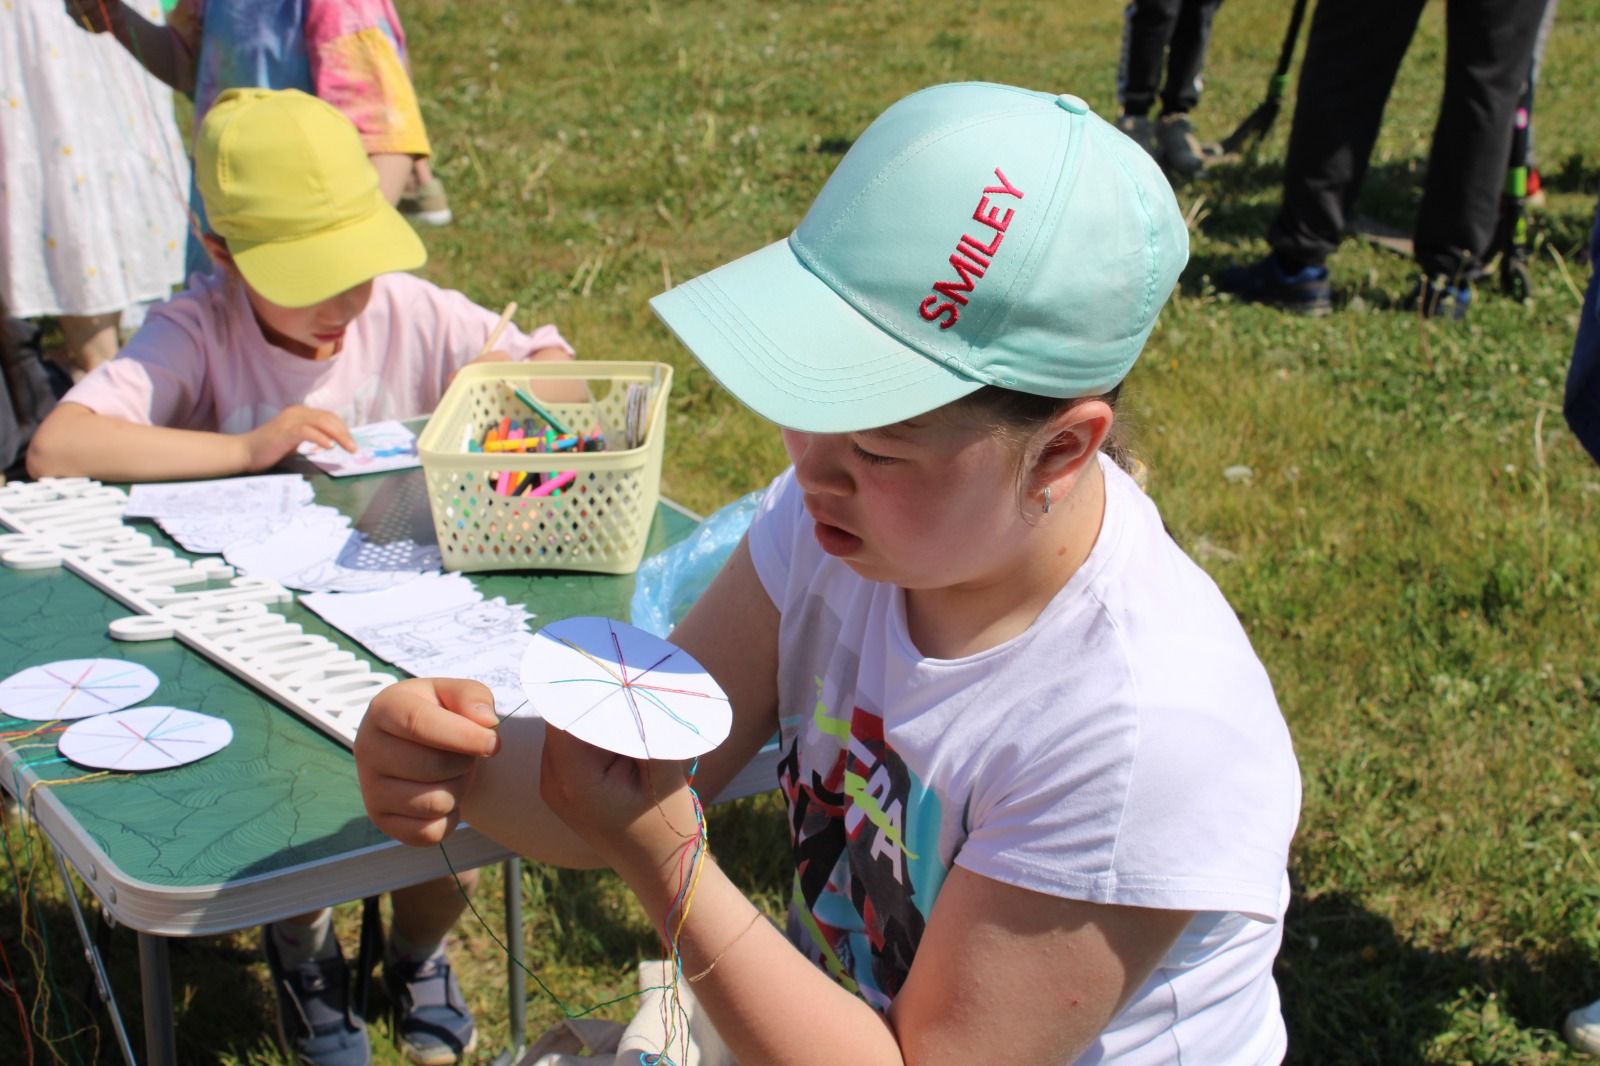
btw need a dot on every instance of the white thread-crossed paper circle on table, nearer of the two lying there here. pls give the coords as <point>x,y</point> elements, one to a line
<point>145,739</point>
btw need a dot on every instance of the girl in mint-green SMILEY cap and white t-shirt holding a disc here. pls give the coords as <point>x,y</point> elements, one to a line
<point>1039,790</point>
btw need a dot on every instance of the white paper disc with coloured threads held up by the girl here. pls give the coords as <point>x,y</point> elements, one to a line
<point>625,691</point>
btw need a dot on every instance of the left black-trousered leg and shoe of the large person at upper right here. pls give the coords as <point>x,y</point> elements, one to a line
<point>1351,60</point>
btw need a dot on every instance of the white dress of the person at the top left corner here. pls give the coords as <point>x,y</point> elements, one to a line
<point>94,177</point>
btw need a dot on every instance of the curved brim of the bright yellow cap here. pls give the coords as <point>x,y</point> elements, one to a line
<point>306,271</point>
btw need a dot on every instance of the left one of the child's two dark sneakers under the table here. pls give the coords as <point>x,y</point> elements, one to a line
<point>316,1024</point>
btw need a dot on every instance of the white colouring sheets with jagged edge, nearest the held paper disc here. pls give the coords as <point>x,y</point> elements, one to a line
<point>438,627</point>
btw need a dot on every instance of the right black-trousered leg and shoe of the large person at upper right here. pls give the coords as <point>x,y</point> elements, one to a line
<point>1489,52</point>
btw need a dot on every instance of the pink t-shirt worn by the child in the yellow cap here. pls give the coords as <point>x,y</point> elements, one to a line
<point>201,361</point>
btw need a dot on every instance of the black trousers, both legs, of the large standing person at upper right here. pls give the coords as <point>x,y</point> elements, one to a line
<point>1350,68</point>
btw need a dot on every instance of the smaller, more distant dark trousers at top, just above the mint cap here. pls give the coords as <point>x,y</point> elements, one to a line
<point>1177,31</point>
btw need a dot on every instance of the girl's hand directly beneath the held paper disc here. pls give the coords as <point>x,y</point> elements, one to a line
<point>634,814</point>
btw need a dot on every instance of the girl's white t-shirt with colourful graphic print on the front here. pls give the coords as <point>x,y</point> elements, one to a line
<point>1126,748</point>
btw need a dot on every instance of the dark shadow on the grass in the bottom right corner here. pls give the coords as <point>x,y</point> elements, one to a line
<point>1358,993</point>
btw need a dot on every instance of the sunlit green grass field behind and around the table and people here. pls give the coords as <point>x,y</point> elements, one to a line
<point>1415,555</point>
